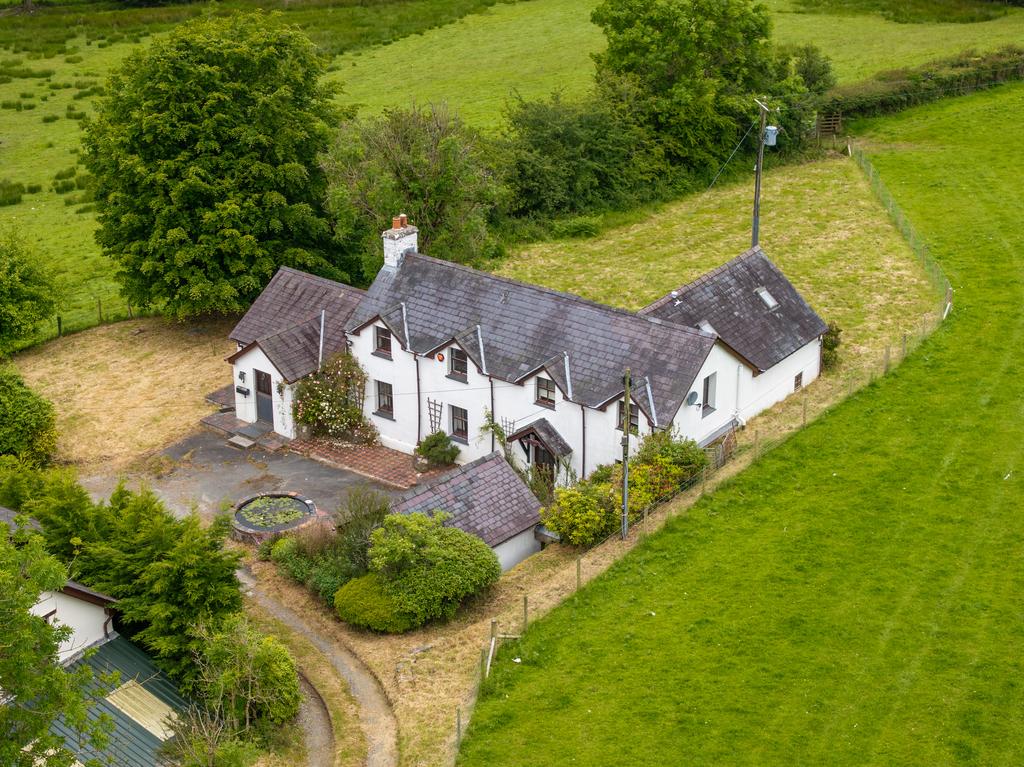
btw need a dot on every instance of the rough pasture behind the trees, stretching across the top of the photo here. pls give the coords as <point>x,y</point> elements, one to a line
<point>534,48</point>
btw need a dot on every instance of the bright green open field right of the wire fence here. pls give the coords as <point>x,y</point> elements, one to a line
<point>855,598</point>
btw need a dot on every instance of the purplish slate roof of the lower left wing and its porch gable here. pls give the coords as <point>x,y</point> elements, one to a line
<point>284,321</point>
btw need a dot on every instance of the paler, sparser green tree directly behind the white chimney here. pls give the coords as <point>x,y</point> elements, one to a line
<point>424,162</point>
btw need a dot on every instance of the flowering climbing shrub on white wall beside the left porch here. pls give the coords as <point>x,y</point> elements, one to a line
<point>330,402</point>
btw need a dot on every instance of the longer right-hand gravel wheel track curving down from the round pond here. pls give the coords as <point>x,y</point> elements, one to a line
<point>376,716</point>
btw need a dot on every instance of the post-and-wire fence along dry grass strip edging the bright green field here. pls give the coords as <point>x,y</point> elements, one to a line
<point>735,453</point>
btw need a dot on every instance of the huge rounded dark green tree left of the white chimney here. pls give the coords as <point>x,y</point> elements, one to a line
<point>204,154</point>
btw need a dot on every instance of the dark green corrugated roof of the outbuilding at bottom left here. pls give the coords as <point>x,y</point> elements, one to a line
<point>131,744</point>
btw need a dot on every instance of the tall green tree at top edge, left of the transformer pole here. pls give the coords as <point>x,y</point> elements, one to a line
<point>690,68</point>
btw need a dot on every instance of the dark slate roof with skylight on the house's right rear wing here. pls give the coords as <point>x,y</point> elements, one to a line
<point>728,300</point>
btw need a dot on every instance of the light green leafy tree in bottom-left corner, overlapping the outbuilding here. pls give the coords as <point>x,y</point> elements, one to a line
<point>36,690</point>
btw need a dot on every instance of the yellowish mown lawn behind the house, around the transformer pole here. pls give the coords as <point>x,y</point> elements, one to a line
<point>820,224</point>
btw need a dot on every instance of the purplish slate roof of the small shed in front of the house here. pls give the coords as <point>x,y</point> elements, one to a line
<point>486,499</point>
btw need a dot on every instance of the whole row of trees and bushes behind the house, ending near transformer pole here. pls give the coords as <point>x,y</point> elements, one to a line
<point>220,154</point>
